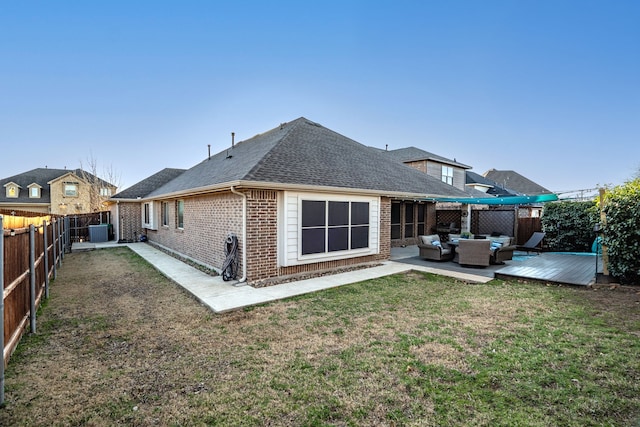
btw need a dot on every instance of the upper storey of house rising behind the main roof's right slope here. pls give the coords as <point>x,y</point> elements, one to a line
<point>448,171</point>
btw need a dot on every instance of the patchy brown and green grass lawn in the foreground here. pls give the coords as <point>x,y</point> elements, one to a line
<point>118,343</point>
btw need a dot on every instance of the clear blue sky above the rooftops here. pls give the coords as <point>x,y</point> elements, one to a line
<point>549,89</point>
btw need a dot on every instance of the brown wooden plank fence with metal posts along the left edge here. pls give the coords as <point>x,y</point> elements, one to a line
<point>29,257</point>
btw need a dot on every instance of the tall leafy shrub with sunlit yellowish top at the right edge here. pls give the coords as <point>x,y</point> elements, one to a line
<point>621,233</point>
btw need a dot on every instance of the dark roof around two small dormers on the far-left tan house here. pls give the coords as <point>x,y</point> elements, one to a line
<point>39,176</point>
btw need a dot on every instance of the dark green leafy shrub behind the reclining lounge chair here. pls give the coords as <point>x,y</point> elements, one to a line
<point>569,225</point>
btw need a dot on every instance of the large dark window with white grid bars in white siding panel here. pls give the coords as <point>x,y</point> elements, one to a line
<point>332,226</point>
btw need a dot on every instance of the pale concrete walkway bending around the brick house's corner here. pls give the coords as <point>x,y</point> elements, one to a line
<point>221,296</point>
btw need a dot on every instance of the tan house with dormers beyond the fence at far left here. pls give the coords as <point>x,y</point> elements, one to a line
<point>55,191</point>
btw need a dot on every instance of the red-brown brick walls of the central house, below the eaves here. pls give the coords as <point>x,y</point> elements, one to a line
<point>209,218</point>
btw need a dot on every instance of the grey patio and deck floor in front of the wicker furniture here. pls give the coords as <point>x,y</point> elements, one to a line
<point>556,268</point>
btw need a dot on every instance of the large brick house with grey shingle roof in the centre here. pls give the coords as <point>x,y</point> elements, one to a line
<point>300,198</point>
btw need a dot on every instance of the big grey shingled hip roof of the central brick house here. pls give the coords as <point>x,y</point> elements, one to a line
<point>302,153</point>
